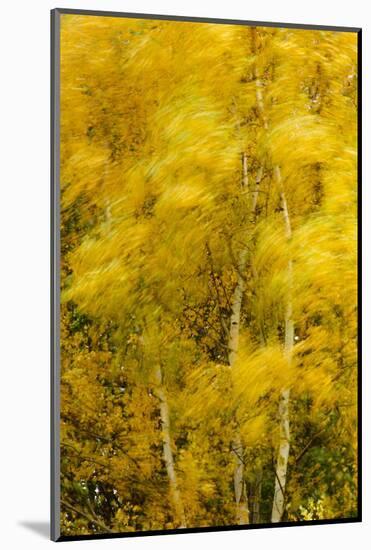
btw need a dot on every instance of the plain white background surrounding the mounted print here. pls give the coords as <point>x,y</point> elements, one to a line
<point>24,272</point>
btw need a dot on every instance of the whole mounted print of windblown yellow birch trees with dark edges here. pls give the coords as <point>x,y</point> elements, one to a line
<point>205,205</point>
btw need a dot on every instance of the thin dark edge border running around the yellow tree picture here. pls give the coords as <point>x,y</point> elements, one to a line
<point>55,290</point>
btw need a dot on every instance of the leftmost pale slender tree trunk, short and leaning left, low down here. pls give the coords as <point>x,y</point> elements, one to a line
<point>167,451</point>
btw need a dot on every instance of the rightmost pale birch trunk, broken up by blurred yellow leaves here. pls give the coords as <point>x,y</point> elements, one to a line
<point>284,415</point>
